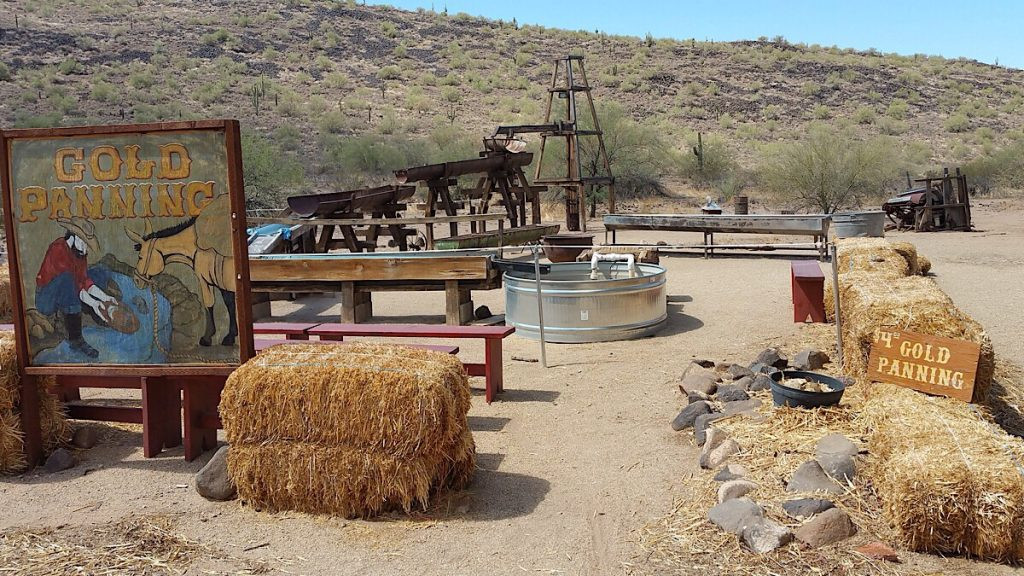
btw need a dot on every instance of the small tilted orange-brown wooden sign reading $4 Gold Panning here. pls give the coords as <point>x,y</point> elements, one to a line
<point>929,364</point>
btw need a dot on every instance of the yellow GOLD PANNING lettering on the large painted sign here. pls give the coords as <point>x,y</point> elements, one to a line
<point>127,188</point>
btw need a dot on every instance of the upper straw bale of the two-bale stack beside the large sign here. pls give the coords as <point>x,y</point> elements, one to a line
<point>401,400</point>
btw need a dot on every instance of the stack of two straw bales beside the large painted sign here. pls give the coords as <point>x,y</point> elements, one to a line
<point>353,430</point>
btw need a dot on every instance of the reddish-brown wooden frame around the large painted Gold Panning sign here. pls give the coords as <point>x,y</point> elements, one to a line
<point>236,192</point>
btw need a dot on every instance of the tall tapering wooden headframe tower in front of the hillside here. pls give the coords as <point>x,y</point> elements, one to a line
<point>570,78</point>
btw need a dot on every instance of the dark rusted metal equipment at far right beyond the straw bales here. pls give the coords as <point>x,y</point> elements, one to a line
<point>935,204</point>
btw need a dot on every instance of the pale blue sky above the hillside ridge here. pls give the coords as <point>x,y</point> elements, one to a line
<point>990,31</point>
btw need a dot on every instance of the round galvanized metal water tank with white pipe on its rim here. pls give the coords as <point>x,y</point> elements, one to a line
<point>580,310</point>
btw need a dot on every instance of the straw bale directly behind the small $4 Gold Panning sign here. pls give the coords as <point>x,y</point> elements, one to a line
<point>914,304</point>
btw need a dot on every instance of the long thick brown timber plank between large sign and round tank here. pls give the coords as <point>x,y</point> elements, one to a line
<point>352,270</point>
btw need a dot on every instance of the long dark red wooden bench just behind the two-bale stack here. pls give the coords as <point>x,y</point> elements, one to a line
<point>491,368</point>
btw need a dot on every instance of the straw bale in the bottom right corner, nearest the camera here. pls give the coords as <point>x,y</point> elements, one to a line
<point>950,480</point>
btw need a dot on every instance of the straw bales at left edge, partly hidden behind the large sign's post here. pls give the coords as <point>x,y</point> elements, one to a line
<point>55,427</point>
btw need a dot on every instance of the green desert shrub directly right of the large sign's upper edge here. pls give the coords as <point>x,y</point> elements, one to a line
<point>270,172</point>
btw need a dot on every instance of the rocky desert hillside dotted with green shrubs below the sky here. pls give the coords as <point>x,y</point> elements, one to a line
<point>335,94</point>
